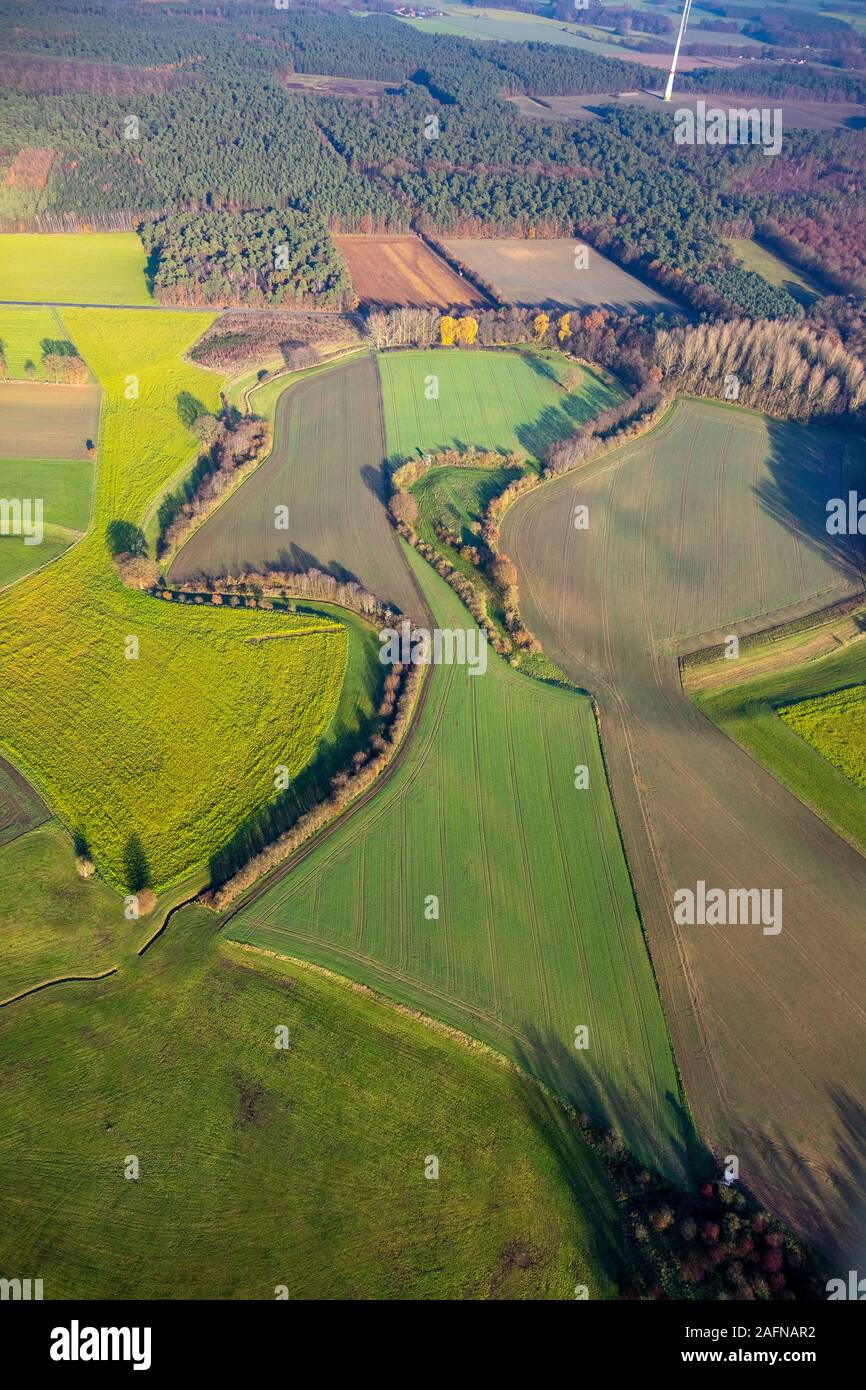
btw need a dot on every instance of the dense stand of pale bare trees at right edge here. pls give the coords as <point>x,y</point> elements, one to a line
<point>776,366</point>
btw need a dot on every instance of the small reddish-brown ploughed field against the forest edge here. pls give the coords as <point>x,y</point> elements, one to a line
<point>402,270</point>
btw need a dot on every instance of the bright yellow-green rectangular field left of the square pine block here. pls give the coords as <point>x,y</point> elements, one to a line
<point>74,268</point>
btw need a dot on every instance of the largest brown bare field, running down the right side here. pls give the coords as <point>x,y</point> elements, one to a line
<point>697,533</point>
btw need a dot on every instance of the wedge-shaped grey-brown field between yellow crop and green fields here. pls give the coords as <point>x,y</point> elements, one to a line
<point>327,468</point>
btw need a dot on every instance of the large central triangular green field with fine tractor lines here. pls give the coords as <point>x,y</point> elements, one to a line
<point>537,931</point>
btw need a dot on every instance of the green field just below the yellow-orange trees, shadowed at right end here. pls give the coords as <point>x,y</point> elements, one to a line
<point>497,400</point>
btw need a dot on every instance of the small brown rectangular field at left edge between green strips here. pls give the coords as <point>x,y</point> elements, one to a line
<point>44,422</point>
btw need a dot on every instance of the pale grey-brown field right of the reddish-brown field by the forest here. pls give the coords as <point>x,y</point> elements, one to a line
<point>540,272</point>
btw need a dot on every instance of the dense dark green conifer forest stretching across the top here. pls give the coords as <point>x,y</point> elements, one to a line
<point>219,140</point>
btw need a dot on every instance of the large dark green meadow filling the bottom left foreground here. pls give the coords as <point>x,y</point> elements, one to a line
<point>265,1168</point>
